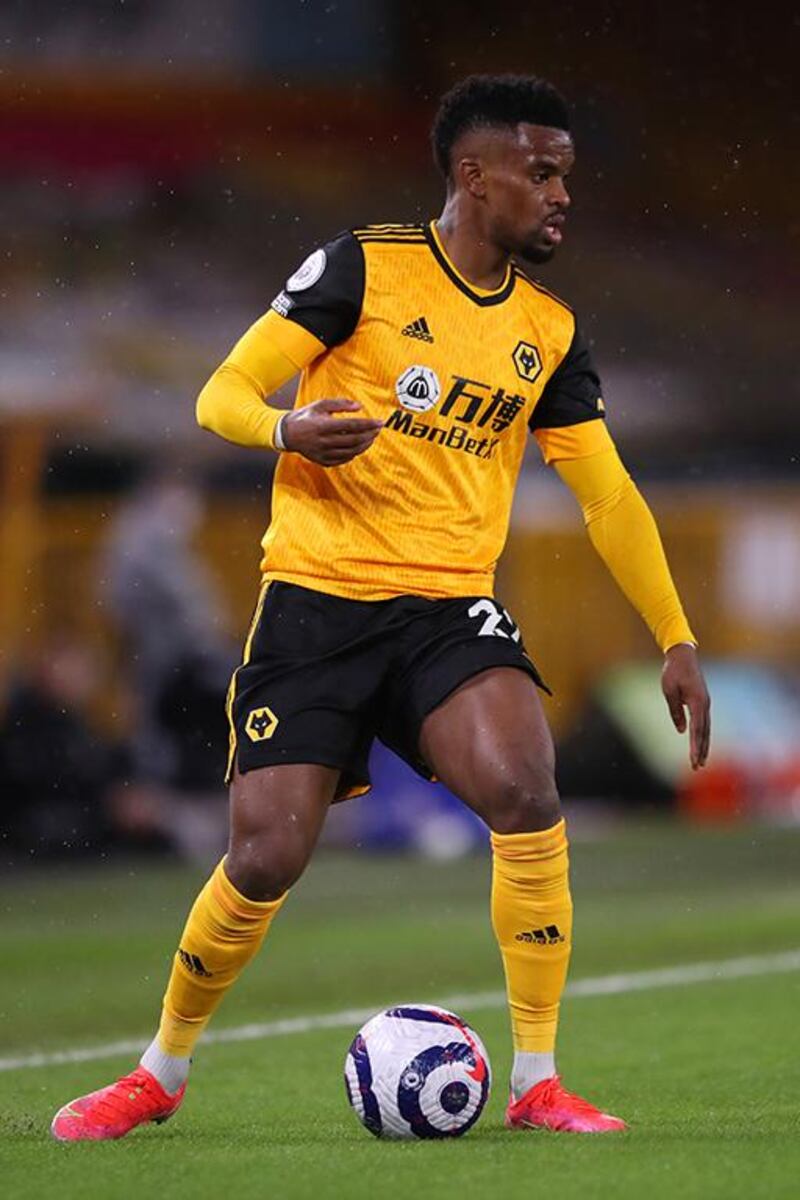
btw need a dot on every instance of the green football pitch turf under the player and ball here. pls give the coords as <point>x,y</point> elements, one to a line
<point>707,1073</point>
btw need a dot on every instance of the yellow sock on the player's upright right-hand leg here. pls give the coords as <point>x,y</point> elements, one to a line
<point>532,914</point>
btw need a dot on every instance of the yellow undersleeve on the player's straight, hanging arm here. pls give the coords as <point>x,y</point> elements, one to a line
<point>624,533</point>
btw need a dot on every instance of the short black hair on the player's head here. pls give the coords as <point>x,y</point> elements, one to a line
<point>495,103</point>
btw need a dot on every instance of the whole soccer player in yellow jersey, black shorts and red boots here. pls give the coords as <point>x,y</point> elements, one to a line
<point>425,356</point>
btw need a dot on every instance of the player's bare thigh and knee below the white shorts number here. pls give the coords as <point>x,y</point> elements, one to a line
<point>490,743</point>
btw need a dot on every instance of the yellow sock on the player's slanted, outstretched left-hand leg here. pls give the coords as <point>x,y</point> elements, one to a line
<point>222,934</point>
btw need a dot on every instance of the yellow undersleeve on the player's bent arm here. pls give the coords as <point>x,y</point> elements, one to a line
<point>268,356</point>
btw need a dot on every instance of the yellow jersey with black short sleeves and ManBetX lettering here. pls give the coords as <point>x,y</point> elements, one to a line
<point>459,375</point>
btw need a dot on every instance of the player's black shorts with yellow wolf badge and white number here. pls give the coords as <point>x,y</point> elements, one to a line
<point>323,676</point>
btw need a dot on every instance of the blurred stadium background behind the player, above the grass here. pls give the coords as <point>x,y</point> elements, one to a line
<point>165,166</point>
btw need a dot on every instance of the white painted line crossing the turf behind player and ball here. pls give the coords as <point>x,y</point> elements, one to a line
<point>598,986</point>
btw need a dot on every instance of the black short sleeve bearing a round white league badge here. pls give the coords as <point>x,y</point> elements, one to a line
<point>324,296</point>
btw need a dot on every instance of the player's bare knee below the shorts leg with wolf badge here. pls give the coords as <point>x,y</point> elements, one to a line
<point>276,818</point>
